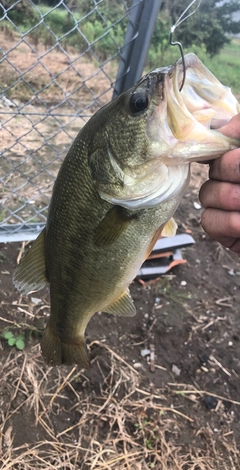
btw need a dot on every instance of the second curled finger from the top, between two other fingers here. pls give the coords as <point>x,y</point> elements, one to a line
<point>220,195</point>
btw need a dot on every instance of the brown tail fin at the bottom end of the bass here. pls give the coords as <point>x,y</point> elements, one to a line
<point>56,352</point>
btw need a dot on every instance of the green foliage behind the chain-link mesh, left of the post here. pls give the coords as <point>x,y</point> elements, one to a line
<point>94,32</point>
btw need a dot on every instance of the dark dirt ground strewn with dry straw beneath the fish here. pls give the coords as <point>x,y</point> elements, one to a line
<point>183,414</point>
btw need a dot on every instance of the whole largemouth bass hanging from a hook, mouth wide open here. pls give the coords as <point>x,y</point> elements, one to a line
<point>116,193</point>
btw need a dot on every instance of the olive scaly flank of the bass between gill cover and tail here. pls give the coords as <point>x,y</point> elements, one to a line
<point>75,221</point>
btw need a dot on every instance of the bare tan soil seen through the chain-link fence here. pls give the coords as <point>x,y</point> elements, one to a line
<point>50,96</point>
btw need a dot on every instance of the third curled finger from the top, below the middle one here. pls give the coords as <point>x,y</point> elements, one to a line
<point>222,225</point>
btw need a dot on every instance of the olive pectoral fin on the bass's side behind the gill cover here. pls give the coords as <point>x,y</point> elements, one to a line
<point>112,226</point>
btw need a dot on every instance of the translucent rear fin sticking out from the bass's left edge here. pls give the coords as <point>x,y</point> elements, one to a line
<point>30,275</point>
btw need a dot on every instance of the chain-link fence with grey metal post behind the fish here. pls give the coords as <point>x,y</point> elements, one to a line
<point>59,64</point>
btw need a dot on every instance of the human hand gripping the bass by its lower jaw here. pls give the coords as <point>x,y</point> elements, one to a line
<point>220,195</point>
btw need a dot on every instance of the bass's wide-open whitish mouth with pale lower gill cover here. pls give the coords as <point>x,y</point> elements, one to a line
<point>181,127</point>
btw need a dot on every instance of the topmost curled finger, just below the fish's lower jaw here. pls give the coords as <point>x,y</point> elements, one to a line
<point>226,168</point>
